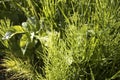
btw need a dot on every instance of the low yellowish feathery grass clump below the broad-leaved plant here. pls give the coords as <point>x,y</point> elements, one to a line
<point>18,68</point>
